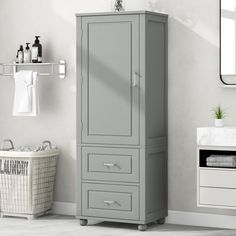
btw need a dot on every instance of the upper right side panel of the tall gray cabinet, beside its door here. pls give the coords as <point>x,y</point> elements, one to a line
<point>155,79</point>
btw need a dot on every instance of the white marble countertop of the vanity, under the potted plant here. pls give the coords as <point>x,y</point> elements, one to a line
<point>212,136</point>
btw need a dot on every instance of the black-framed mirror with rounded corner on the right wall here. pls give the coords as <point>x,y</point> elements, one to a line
<point>228,42</point>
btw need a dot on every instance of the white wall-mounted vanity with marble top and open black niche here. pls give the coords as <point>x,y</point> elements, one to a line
<point>216,186</point>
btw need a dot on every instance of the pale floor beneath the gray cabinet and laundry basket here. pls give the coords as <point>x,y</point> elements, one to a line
<point>68,226</point>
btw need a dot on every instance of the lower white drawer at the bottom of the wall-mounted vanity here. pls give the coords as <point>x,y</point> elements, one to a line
<point>218,197</point>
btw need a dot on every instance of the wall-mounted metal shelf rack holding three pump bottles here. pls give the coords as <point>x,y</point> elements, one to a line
<point>44,69</point>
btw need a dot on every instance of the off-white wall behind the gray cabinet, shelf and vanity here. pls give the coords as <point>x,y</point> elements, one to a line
<point>194,86</point>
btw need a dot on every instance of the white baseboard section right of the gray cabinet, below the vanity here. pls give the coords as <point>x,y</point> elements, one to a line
<point>201,219</point>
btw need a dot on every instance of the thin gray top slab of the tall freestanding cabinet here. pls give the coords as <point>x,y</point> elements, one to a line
<point>122,13</point>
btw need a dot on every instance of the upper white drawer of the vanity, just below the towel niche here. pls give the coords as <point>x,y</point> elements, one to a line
<point>218,178</point>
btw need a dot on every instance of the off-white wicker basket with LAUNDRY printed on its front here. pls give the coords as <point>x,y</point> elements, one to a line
<point>27,182</point>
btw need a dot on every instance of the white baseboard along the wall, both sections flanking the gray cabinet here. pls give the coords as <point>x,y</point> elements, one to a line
<point>174,217</point>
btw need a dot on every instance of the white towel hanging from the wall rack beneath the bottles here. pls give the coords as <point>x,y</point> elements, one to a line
<point>26,96</point>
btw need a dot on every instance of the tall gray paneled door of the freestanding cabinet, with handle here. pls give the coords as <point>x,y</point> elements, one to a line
<point>110,64</point>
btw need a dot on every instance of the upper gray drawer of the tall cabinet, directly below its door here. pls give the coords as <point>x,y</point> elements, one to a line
<point>113,164</point>
